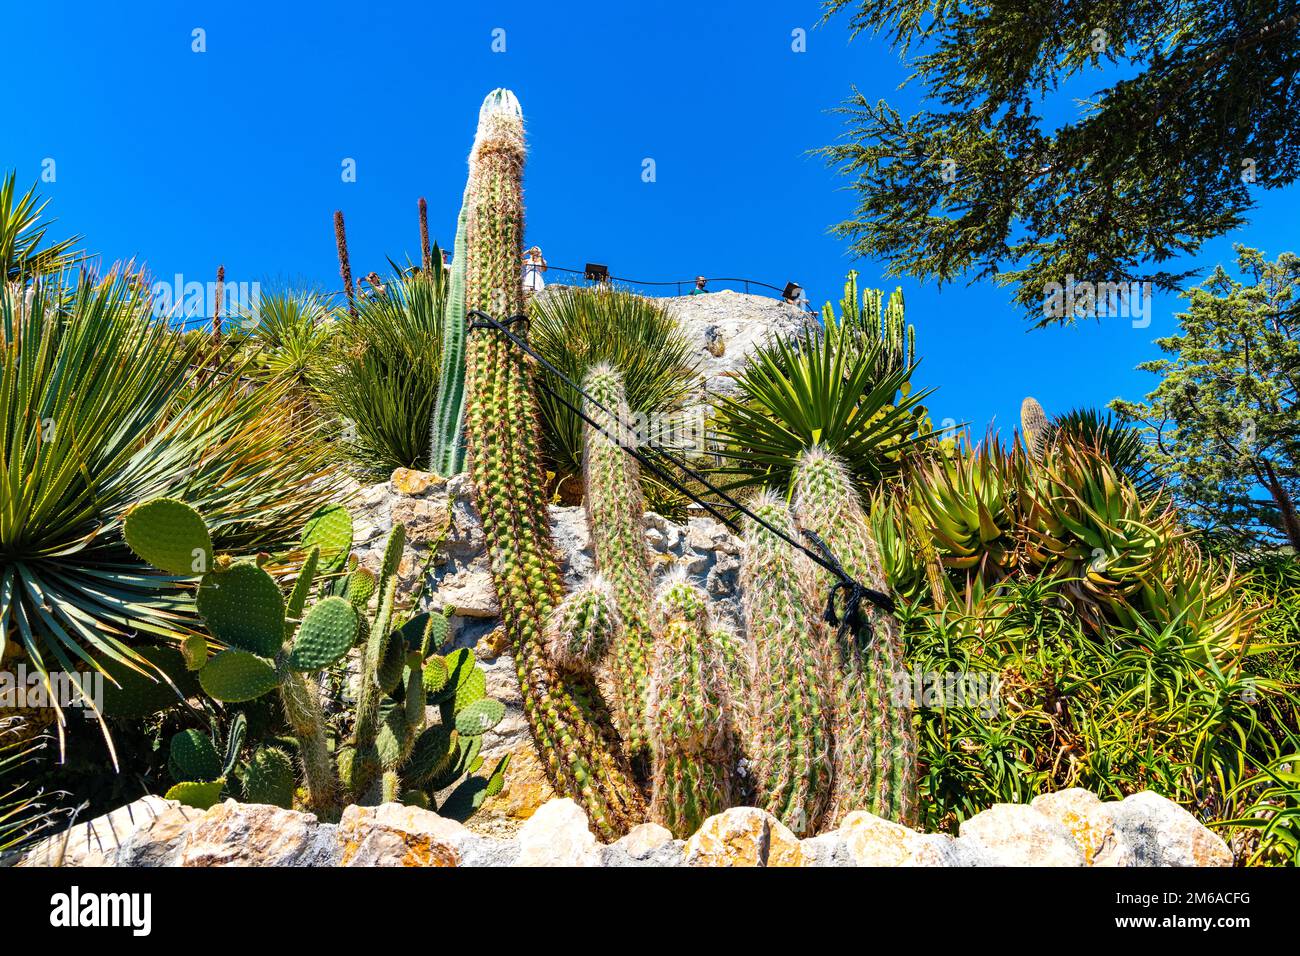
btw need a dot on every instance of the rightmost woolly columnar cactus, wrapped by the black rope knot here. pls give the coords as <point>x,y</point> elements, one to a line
<point>876,749</point>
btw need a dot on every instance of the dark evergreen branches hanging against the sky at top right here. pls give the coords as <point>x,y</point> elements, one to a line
<point>1199,111</point>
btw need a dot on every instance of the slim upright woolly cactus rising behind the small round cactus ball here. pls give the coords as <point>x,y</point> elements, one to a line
<point>616,512</point>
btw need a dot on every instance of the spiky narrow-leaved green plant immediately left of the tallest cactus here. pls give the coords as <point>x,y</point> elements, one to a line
<point>379,379</point>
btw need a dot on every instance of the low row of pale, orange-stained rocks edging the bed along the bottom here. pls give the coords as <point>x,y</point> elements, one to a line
<point>1069,829</point>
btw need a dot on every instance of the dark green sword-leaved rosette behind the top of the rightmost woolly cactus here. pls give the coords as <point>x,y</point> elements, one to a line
<point>818,390</point>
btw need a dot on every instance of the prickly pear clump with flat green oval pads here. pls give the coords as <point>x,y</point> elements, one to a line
<point>272,644</point>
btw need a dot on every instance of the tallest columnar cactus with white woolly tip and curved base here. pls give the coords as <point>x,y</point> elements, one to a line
<point>505,449</point>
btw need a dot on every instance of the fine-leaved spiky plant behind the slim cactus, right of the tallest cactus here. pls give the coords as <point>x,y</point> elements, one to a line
<point>577,330</point>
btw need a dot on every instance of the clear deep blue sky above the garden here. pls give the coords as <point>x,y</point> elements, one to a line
<point>187,161</point>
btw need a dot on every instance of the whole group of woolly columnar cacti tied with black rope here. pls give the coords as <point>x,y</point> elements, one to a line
<point>640,704</point>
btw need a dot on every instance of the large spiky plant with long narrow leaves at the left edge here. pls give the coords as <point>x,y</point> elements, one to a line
<point>101,408</point>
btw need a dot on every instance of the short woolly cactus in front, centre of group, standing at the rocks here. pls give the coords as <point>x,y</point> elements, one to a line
<point>692,733</point>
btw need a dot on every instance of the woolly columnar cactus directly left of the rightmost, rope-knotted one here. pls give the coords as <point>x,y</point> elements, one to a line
<point>792,707</point>
